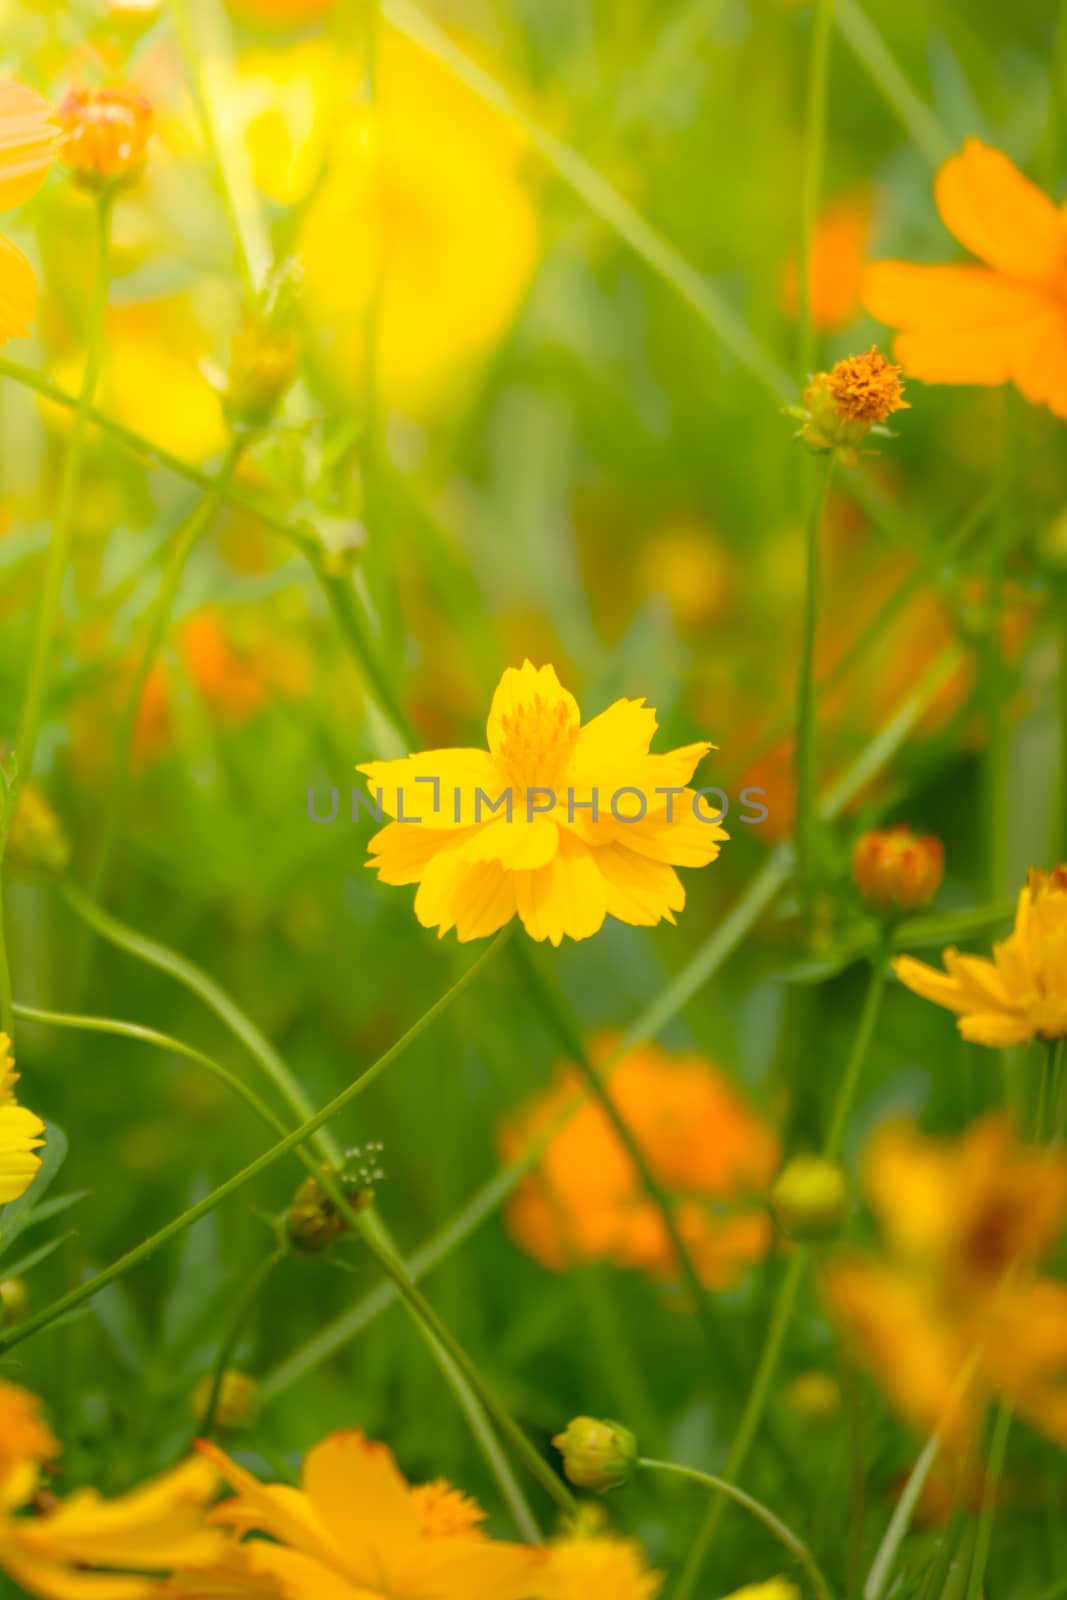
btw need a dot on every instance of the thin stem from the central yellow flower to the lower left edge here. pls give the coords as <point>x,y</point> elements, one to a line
<point>234,1185</point>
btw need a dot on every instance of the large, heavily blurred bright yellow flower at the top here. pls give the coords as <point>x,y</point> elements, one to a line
<point>415,204</point>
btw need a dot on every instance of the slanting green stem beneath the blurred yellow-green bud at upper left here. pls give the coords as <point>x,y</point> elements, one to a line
<point>156,633</point>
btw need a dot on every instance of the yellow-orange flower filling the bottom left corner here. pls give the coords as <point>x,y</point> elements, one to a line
<point>89,1548</point>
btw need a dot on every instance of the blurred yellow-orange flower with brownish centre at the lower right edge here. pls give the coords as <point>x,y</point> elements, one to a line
<point>956,1313</point>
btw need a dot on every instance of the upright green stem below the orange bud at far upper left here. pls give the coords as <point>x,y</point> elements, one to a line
<point>63,530</point>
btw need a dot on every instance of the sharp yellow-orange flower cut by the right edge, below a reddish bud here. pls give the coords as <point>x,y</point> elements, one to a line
<point>1023,993</point>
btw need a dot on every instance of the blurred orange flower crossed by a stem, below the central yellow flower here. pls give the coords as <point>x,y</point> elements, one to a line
<point>585,1199</point>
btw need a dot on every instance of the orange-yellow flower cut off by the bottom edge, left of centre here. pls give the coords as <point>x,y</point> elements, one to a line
<point>356,1530</point>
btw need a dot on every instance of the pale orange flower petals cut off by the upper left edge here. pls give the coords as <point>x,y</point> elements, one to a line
<point>28,148</point>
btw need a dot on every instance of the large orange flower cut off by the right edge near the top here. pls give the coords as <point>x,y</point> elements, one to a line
<point>1002,322</point>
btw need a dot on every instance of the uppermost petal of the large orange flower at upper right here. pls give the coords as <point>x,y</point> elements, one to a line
<point>1001,215</point>
